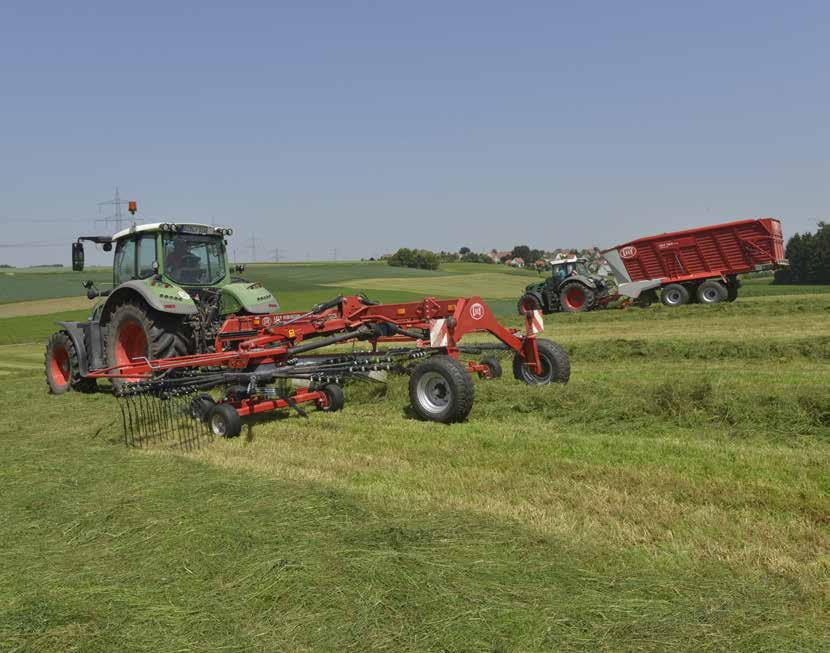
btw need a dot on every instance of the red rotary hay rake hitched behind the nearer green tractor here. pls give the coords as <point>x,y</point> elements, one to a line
<point>259,359</point>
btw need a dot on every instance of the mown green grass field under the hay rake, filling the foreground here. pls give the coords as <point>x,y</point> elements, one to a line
<point>674,496</point>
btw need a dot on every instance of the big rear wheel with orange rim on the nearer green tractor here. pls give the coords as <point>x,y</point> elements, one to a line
<point>134,330</point>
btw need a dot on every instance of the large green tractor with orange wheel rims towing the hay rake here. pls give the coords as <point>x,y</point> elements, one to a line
<point>171,291</point>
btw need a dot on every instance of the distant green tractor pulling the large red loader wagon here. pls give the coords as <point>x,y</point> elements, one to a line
<point>571,288</point>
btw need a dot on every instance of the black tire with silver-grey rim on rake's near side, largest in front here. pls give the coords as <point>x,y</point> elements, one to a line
<point>441,390</point>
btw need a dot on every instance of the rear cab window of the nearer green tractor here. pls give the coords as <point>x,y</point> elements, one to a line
<point>198,260</point>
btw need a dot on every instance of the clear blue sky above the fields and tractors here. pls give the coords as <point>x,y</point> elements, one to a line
<point>364,126</point>
